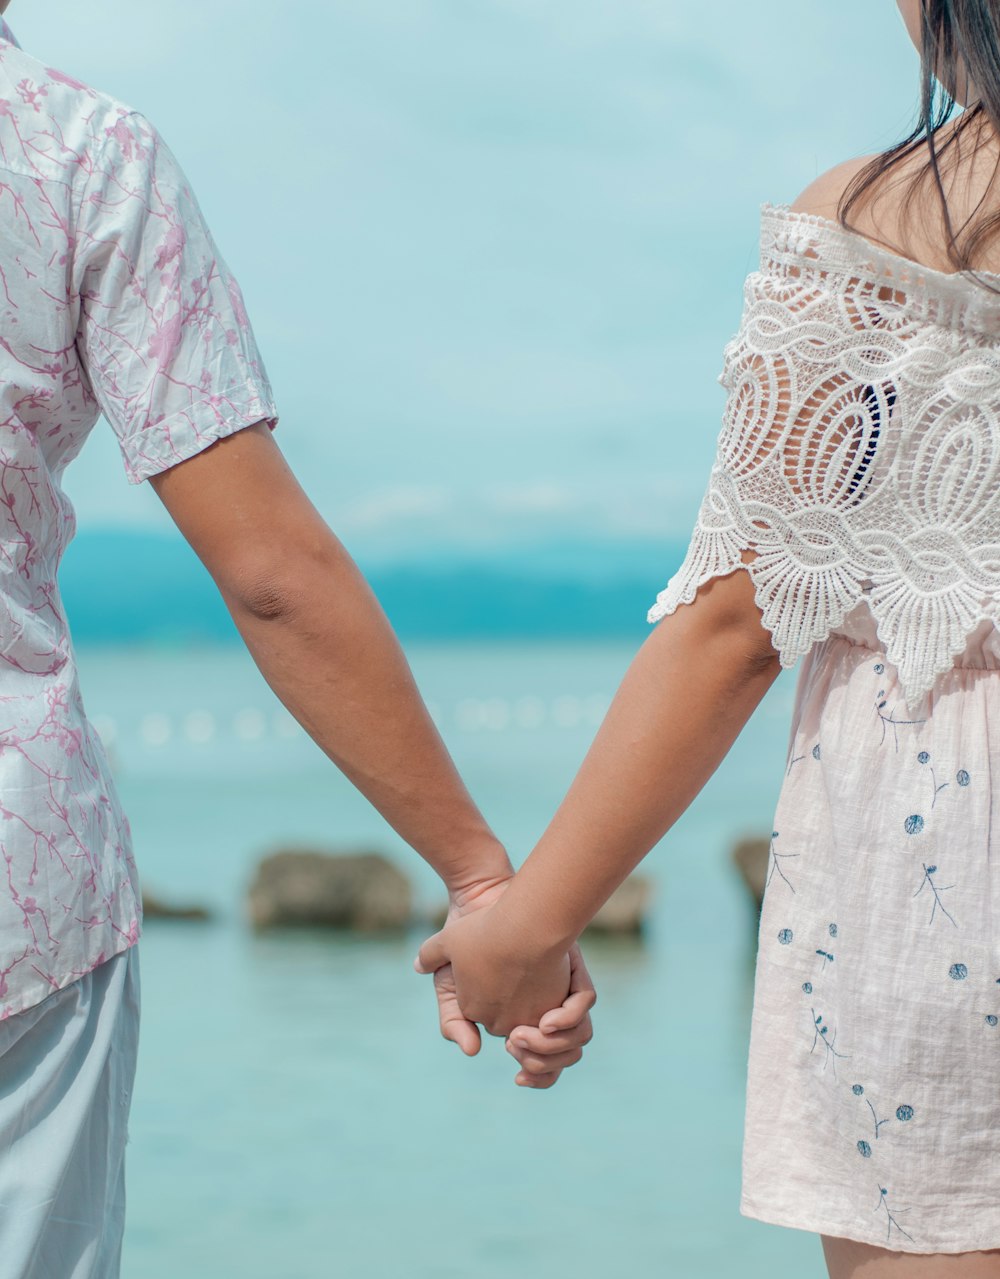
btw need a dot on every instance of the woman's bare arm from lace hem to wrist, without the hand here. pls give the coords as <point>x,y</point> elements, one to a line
<point>684,703</point>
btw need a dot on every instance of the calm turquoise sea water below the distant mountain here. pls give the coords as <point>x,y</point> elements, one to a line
<point>297,1113</point>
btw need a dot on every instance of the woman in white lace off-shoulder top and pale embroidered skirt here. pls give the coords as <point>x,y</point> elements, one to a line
<point>854,517</point>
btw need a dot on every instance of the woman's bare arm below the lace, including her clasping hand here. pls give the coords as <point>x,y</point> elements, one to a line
<point>681,707</point>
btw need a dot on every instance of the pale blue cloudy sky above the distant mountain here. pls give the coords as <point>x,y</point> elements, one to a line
<point>492,249</point>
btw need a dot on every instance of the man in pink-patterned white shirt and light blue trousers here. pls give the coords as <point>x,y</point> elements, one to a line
<point>114,300</point>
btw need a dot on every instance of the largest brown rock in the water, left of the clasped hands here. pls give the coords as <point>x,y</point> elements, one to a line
<point>363,892</point>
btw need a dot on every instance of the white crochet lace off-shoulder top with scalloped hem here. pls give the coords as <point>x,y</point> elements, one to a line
<point>860,456</point>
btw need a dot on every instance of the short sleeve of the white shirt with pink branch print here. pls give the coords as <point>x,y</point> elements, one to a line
<point>163,332</point>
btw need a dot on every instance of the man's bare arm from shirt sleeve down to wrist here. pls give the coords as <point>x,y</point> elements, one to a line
<point>325,647</point>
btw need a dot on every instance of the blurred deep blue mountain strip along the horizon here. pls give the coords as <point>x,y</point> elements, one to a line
<point>122,588</point>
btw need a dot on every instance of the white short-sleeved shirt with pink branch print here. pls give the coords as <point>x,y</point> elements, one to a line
<point>114,301</point>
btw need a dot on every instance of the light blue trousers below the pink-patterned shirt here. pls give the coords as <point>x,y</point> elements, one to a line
<point>67,1069</point>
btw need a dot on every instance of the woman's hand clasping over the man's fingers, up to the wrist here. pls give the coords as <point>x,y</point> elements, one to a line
<point>501,979</point>
